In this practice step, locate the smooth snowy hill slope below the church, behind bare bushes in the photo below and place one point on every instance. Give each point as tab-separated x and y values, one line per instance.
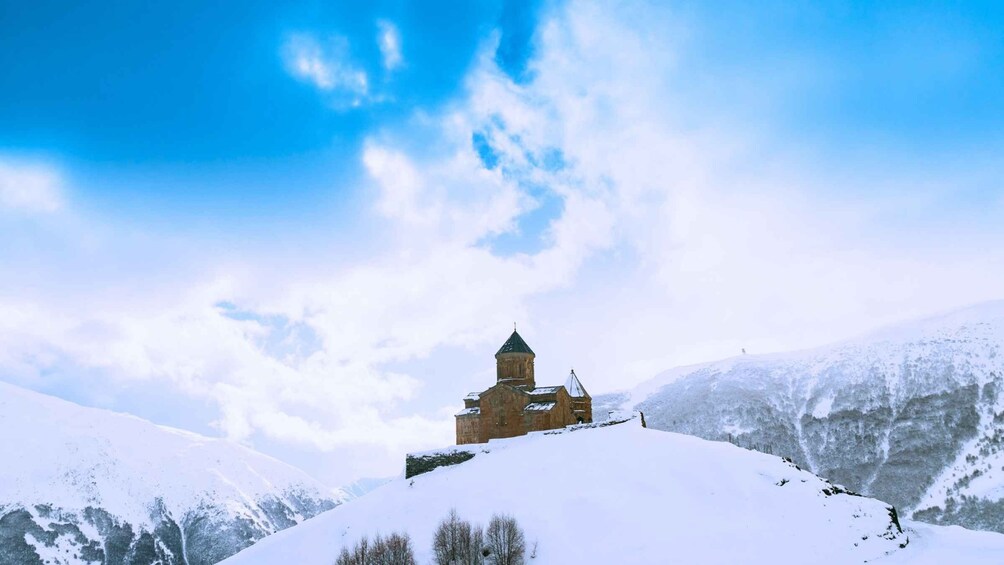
620	494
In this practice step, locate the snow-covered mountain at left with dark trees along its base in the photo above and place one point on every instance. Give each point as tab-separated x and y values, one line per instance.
82	485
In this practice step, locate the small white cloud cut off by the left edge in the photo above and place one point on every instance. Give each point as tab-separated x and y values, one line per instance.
30	188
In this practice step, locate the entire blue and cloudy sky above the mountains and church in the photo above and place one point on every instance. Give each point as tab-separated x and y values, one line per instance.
308	227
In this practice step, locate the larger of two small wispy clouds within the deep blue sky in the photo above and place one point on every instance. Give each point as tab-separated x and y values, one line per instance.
328	67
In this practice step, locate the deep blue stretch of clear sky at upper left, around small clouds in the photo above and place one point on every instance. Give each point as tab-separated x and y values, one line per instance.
189	109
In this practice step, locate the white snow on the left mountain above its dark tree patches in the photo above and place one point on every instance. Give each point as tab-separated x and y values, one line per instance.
74	457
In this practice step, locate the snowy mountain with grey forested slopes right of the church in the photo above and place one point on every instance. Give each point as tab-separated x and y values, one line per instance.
913	415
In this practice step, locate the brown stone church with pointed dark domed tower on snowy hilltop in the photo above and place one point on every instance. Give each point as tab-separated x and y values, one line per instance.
516	405
